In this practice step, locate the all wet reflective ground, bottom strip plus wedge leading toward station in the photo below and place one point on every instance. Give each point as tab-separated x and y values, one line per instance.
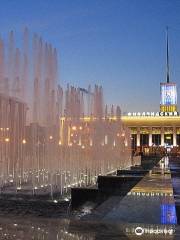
146	212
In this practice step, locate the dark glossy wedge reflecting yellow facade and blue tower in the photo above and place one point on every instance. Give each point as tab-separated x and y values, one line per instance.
151	201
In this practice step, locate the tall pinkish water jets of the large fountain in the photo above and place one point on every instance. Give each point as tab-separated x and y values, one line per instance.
52	139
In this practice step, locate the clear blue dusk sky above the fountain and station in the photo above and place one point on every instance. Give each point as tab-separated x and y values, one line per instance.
119	44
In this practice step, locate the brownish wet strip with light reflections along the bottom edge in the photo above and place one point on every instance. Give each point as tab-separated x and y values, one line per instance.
52	229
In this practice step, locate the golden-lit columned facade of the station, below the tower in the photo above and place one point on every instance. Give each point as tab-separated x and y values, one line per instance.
153	133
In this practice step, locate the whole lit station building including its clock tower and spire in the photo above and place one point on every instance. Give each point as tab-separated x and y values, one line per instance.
154	131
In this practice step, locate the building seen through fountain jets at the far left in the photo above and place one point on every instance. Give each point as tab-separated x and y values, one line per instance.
12	134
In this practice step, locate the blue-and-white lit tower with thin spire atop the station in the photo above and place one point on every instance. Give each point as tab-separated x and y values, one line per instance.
168	89
